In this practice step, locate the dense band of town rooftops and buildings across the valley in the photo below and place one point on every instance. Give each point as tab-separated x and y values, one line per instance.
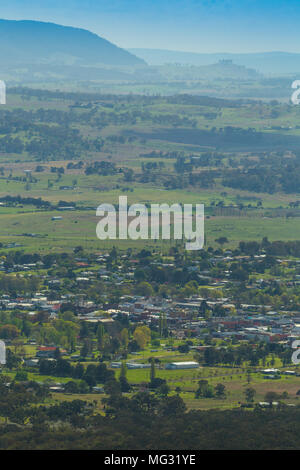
247	323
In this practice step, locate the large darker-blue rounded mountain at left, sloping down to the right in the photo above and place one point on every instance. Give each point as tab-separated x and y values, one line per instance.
34	42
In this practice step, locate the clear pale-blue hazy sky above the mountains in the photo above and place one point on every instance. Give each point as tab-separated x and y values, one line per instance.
186	25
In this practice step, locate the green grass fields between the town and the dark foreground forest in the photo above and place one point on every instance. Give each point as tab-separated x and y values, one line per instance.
185	381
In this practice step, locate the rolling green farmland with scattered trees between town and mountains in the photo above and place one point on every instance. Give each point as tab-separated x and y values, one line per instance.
148	156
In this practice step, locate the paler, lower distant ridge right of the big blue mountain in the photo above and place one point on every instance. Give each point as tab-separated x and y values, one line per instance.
265	62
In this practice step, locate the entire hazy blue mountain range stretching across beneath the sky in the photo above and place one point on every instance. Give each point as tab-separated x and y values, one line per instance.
33	51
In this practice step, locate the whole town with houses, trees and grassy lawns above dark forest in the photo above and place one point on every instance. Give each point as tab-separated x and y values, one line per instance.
199	325
